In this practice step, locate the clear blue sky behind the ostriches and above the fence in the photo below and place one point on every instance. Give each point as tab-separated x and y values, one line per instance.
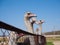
12	12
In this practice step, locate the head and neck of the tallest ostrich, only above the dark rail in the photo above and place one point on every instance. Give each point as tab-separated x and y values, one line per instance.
27	21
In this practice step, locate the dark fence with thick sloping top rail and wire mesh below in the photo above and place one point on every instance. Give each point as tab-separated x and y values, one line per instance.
11	35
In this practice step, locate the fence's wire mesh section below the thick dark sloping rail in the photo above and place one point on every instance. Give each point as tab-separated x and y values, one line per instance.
8	37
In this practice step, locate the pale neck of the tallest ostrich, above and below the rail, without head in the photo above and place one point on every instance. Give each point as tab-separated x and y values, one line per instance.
29	29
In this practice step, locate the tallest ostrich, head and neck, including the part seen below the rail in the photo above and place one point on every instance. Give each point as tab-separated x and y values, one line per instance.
29	25
